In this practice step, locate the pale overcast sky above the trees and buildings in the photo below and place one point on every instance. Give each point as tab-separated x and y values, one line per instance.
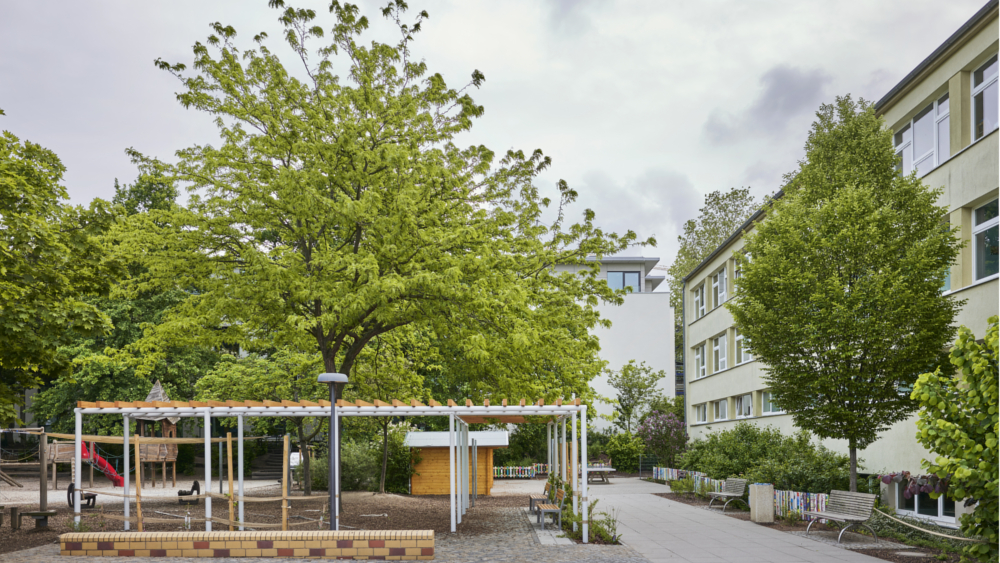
644	107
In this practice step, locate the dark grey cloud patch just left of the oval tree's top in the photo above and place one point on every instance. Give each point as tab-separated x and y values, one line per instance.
786	93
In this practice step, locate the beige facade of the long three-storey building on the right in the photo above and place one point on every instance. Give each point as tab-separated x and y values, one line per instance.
952	94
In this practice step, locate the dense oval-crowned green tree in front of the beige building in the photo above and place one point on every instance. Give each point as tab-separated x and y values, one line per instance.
840	294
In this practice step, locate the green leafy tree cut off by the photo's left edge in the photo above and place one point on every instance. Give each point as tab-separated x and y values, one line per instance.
51	259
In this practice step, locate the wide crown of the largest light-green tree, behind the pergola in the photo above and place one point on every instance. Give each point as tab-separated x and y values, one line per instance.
336	209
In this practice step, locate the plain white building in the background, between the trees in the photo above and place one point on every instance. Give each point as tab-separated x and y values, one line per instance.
642	327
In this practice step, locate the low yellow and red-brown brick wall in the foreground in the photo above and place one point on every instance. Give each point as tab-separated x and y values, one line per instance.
386	545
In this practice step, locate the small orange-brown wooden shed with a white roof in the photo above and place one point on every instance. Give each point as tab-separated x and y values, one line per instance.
431	476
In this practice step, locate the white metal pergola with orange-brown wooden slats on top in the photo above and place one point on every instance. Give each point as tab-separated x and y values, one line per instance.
459	418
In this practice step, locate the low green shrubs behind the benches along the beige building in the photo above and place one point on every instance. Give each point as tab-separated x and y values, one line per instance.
765	455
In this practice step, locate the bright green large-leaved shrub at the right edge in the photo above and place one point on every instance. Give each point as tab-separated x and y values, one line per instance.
958	421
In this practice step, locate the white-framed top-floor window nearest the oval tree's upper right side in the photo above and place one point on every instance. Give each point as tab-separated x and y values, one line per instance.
924	142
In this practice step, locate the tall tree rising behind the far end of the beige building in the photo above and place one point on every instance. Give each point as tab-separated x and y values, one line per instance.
722	214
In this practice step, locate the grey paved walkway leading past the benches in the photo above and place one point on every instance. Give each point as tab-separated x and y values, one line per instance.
666	531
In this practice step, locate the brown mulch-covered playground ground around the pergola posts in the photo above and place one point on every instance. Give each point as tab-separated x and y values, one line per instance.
362	510
